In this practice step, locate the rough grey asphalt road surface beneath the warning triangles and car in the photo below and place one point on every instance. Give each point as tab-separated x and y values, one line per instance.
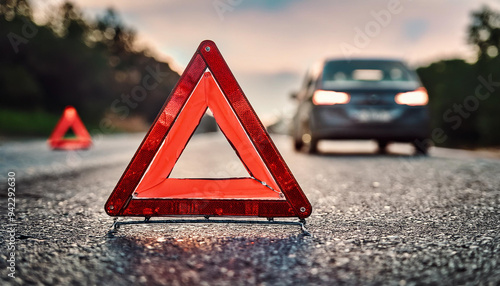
388	219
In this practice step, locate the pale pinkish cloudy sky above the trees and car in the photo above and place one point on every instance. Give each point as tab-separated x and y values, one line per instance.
269	44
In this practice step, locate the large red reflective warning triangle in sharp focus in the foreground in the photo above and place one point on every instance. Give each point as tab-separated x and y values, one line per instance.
146	189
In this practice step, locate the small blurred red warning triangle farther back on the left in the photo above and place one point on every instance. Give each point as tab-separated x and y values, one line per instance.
70	119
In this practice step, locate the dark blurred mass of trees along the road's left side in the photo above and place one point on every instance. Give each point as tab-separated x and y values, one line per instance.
71	60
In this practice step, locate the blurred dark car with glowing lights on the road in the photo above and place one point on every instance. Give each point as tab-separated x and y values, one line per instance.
373	99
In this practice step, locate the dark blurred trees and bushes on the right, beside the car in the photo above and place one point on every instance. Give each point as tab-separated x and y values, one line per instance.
465	98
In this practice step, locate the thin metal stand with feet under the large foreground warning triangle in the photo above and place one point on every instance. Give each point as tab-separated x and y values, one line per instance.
302	223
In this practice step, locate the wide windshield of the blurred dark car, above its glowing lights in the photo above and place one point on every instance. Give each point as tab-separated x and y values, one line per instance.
367	74
